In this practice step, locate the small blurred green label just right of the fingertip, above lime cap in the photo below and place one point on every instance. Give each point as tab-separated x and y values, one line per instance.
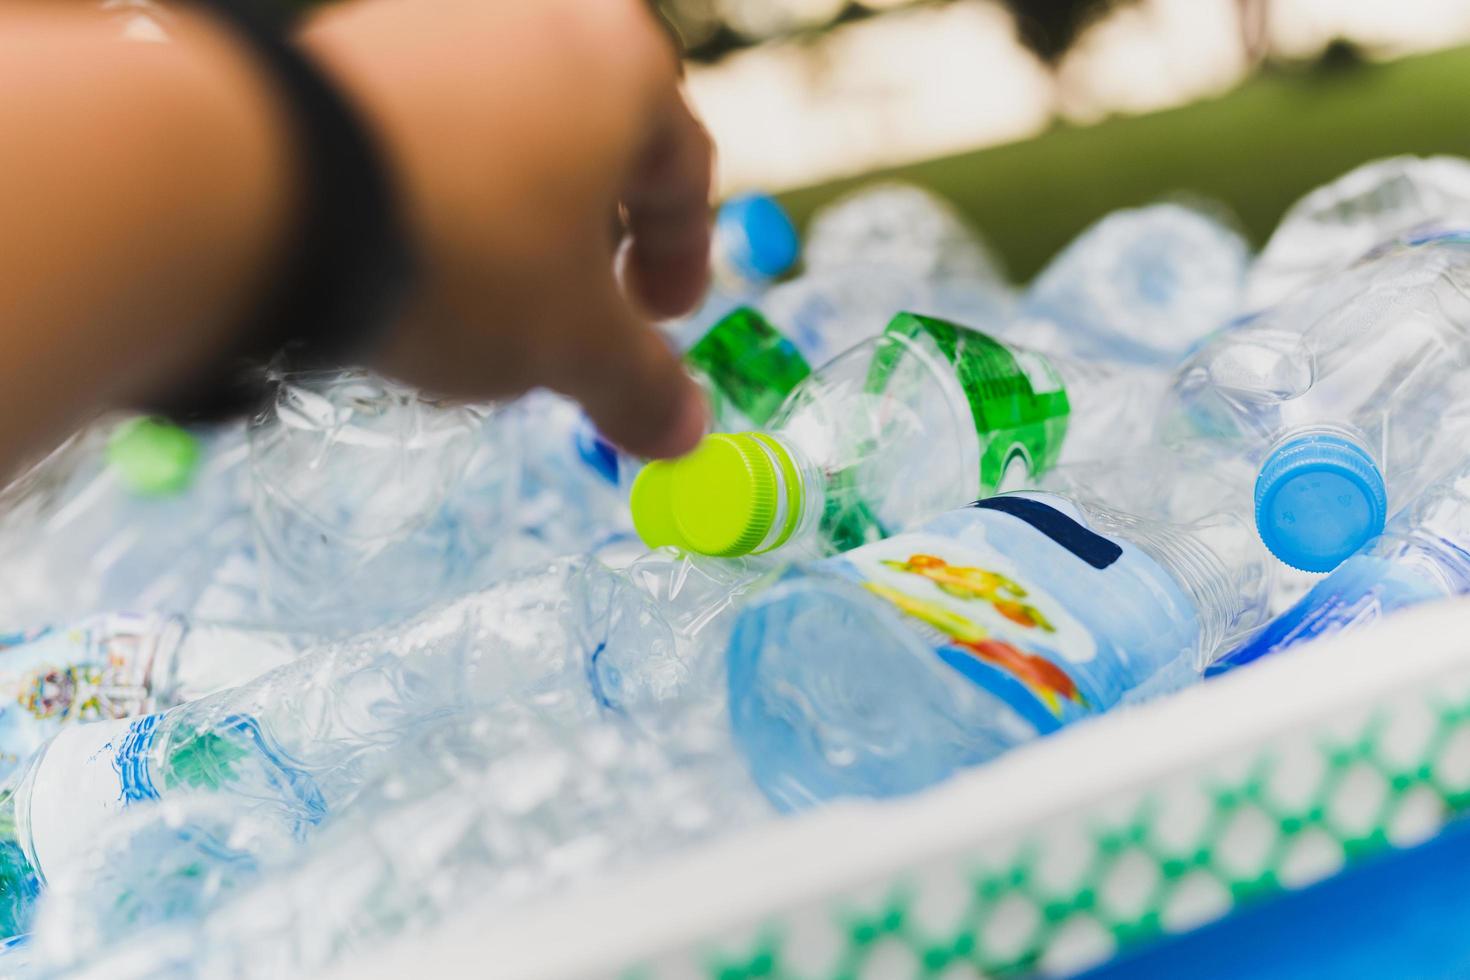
750	365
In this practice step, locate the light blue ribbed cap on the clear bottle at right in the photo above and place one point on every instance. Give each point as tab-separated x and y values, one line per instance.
1318	500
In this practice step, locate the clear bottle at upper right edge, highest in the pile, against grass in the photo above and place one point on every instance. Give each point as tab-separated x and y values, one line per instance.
1341	223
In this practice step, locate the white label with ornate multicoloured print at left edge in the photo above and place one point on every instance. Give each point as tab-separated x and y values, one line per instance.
99	671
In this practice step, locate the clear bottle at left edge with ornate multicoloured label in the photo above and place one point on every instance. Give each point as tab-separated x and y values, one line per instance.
120	666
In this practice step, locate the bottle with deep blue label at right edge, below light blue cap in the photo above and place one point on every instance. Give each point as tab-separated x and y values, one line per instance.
1424	555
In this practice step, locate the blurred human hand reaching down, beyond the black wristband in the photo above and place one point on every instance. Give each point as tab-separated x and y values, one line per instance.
556	186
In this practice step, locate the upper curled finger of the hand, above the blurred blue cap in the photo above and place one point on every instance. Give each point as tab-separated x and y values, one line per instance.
667	261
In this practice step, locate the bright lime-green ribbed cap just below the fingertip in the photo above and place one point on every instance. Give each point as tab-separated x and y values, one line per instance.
724	499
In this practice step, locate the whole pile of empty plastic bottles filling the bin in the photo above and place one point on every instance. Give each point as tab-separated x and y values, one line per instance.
279	694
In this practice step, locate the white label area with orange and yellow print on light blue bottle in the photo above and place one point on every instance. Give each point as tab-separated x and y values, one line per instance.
986	619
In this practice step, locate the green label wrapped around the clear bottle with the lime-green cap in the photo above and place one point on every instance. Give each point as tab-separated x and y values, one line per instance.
1018	400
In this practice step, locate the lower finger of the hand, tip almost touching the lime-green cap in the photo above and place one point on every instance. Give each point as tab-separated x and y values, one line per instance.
633	386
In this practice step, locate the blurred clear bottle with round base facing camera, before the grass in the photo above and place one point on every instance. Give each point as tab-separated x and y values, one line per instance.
1140	286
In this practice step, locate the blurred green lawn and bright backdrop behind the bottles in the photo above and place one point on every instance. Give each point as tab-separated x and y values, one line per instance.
1039	117
